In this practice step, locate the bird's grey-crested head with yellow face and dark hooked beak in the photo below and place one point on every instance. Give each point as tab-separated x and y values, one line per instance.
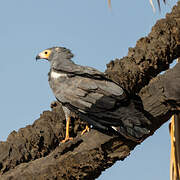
53	53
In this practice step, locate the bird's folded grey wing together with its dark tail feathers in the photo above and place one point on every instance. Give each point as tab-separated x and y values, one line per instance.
103	104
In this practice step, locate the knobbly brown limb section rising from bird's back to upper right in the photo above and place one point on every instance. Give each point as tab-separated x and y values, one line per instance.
150	56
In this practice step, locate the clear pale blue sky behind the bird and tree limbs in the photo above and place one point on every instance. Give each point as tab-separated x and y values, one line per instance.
96	35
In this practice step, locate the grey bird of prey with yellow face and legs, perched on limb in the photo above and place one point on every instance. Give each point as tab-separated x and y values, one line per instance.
95	99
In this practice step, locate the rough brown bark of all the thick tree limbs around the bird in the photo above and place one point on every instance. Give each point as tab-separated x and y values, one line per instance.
34	151
